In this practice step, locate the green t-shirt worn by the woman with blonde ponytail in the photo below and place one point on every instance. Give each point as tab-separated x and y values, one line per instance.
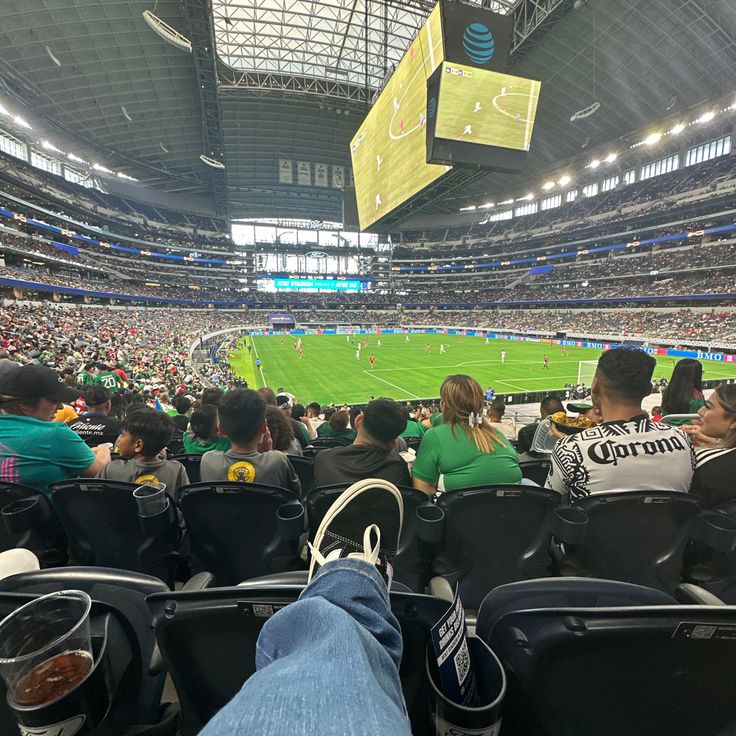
456	457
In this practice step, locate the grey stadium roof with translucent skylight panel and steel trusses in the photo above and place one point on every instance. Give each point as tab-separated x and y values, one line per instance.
291	79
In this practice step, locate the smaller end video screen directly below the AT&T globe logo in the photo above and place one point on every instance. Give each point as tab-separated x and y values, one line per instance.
485	107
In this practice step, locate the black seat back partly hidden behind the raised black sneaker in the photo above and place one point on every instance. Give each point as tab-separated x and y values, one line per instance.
410	565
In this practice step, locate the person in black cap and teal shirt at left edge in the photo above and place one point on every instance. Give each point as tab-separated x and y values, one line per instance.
34	450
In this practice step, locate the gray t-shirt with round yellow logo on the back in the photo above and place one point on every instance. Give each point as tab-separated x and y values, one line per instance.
270	468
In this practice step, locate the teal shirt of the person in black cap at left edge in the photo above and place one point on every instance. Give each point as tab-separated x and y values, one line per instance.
38	453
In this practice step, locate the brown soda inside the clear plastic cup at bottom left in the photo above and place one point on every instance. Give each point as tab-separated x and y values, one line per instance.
53	678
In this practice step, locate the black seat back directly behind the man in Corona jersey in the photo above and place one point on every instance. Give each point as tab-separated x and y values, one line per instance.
634	536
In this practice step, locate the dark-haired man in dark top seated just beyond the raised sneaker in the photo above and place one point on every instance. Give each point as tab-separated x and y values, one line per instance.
372	453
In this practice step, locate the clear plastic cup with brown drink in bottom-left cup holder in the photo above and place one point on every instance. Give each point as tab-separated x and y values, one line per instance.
45	647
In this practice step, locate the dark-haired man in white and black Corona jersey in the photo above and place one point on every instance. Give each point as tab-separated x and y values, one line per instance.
627	451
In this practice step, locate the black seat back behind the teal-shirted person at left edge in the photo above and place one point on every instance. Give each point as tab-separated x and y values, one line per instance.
38	530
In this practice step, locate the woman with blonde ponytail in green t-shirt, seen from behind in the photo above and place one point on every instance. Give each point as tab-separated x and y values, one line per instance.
464	448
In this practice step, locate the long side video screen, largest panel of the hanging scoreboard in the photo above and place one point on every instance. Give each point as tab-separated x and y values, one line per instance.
389	150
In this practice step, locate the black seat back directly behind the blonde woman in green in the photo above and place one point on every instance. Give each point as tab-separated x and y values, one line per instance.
494	535
